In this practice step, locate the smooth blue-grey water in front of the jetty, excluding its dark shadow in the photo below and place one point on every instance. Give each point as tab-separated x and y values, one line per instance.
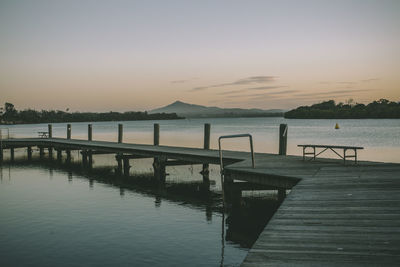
55	218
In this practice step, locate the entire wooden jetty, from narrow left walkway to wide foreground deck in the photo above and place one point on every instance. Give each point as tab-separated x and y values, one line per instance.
335	214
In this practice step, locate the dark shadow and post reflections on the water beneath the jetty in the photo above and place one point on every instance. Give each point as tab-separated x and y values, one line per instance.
241	224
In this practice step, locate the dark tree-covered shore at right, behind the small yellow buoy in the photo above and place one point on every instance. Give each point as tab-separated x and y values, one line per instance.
379	109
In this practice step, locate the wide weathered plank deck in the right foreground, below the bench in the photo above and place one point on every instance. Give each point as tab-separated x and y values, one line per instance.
340	216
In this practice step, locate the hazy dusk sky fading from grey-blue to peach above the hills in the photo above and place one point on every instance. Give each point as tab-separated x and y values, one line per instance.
139	55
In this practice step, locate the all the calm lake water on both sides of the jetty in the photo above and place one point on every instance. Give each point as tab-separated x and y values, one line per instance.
56	216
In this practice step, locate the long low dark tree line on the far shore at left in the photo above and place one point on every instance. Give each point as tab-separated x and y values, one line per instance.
9	115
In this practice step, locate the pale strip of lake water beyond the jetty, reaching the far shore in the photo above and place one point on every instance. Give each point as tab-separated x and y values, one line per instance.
380	138
